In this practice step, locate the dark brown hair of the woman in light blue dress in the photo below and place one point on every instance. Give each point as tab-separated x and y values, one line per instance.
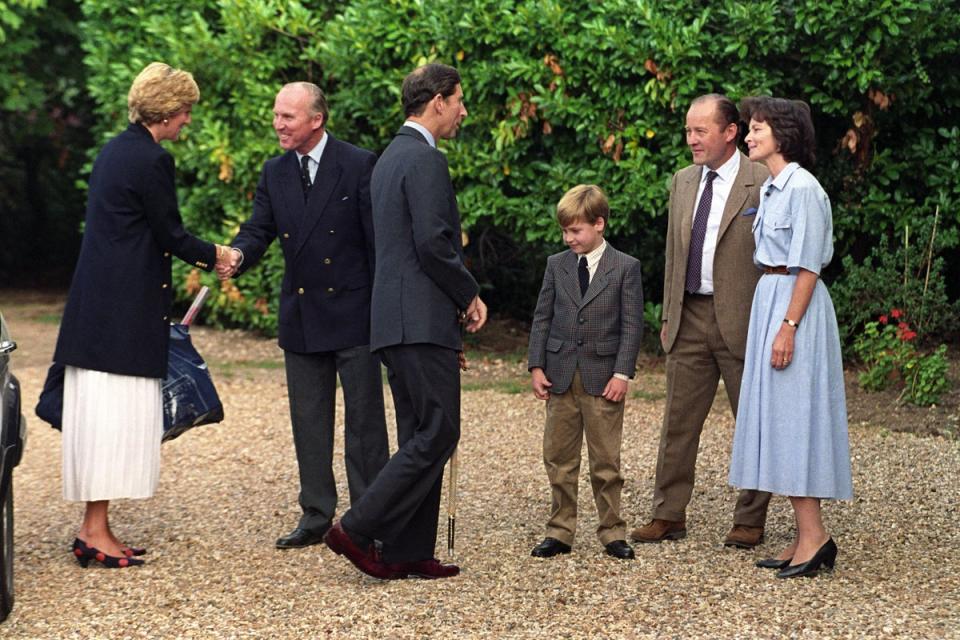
790	122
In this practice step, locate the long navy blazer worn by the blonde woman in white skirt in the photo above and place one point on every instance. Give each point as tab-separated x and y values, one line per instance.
118	310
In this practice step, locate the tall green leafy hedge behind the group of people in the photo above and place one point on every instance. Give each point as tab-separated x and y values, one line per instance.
558	93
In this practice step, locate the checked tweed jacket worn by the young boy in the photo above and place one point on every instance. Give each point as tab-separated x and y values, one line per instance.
598	333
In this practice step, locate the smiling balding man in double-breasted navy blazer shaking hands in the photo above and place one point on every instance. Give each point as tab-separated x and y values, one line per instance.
315	199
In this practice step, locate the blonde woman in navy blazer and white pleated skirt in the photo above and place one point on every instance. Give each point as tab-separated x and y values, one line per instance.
115	329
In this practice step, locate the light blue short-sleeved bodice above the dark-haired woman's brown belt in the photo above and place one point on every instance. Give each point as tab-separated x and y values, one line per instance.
794	223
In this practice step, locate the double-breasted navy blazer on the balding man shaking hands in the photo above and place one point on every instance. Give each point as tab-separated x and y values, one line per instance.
327	245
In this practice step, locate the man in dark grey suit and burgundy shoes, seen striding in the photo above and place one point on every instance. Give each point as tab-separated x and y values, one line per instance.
421	293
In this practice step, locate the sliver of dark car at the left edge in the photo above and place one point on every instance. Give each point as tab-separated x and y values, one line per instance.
12	434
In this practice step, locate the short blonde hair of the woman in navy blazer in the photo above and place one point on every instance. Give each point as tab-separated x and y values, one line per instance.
159	92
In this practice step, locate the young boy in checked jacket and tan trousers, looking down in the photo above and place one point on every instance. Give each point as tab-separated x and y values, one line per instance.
583	349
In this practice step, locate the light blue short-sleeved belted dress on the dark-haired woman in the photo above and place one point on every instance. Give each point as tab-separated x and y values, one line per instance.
791	433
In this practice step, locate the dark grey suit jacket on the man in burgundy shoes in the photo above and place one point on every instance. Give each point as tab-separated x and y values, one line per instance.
421	284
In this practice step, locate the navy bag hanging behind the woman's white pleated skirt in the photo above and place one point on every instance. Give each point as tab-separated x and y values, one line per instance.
189	397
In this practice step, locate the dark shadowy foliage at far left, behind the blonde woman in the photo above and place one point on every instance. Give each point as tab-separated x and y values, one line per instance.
44	122
